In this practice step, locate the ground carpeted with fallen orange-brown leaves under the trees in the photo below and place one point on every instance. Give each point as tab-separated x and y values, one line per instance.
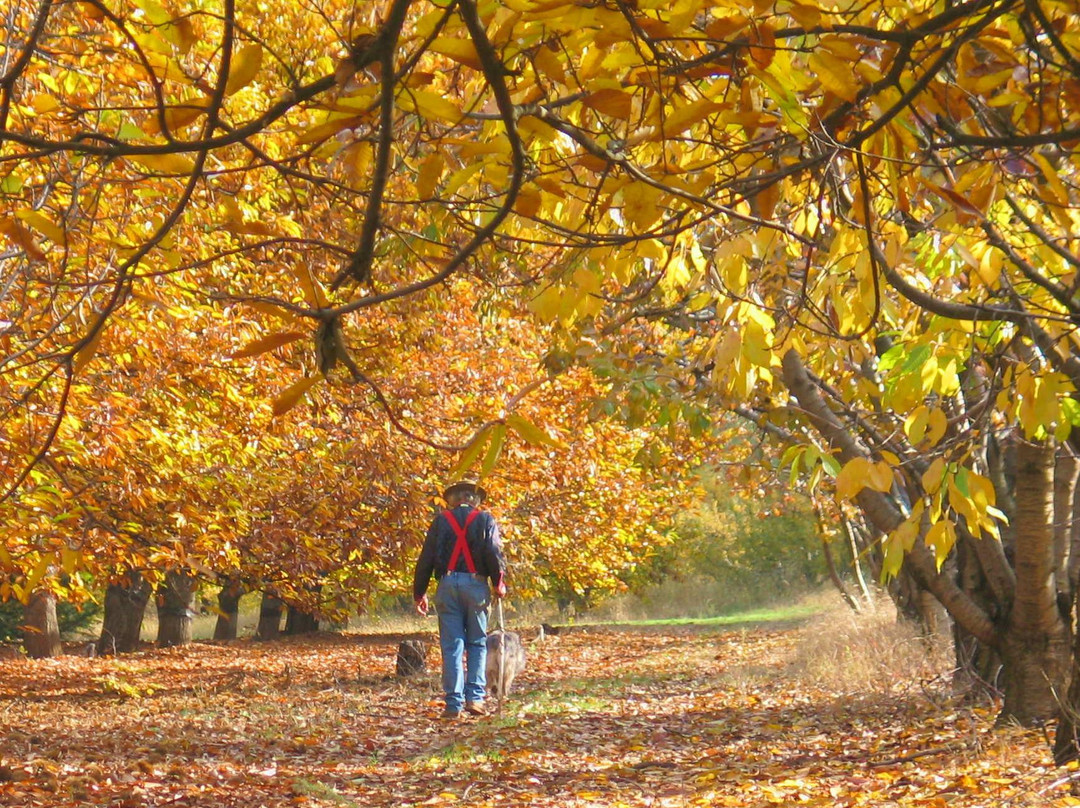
601	719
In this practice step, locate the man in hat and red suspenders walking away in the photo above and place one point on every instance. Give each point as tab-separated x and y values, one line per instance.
464	551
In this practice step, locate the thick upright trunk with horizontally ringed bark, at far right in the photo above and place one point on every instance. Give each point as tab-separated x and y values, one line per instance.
1035	645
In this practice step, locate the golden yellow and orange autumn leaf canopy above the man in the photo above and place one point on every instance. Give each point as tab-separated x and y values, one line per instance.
853	223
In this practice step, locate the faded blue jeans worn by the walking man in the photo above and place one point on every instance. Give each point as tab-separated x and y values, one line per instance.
462	602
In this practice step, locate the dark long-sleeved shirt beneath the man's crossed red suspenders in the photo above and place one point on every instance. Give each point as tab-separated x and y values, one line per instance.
484	544
